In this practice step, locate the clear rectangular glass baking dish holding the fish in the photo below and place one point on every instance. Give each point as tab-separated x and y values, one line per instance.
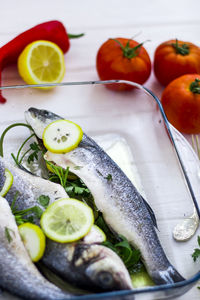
167	166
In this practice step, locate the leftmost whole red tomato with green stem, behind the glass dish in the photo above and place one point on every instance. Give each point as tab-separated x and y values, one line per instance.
125	59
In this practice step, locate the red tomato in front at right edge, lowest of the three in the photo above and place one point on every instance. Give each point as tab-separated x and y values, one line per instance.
181	103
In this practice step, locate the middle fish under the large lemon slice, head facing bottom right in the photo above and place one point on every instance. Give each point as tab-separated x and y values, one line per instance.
89	266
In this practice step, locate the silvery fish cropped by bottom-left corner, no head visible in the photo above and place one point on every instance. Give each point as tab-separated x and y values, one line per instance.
18	275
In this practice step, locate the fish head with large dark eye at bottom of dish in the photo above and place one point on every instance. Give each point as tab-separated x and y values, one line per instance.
102	267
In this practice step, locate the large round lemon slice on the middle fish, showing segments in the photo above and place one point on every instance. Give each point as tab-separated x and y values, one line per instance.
67	220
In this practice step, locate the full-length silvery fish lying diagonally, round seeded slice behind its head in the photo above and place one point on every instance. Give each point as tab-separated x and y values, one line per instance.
123	208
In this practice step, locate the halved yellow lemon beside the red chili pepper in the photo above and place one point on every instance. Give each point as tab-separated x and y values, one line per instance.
41	62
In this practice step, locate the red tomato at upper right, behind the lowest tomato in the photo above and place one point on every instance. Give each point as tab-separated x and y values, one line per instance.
175	58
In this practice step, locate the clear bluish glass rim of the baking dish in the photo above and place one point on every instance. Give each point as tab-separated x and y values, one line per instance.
192	280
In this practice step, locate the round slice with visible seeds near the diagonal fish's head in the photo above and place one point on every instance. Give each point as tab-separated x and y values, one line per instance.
62	136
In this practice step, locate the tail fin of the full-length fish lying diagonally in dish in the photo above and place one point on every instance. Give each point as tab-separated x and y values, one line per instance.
169	275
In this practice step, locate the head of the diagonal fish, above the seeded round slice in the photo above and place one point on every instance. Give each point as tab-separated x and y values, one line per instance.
39	119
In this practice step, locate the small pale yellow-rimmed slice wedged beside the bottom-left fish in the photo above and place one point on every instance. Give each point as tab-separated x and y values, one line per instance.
34	240
